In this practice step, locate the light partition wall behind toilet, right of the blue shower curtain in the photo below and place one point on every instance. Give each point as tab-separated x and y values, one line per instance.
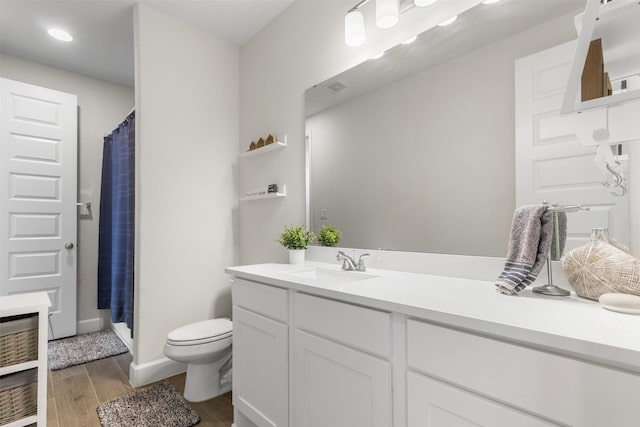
186	142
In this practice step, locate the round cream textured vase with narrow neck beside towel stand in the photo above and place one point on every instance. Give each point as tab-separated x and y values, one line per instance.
599	267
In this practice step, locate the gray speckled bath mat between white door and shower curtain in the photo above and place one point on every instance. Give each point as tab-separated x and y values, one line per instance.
84	348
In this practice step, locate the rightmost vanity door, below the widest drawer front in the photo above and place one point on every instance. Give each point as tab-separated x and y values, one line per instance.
431	403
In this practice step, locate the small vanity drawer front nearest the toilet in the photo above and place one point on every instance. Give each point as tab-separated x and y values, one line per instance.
263	299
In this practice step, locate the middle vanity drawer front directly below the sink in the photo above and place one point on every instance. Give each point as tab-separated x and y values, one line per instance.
358	327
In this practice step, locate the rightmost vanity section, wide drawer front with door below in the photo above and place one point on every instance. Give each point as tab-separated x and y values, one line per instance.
457	378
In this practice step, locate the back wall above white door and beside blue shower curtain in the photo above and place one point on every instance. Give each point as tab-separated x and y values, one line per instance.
102	106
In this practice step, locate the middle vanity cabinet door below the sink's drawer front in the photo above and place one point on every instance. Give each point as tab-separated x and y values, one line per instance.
337	386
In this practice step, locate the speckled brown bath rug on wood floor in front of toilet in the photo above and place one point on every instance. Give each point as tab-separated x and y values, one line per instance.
158	405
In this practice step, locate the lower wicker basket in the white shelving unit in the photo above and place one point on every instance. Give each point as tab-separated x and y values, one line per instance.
18	396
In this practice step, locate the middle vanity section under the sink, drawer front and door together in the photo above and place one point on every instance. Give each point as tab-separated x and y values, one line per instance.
340	375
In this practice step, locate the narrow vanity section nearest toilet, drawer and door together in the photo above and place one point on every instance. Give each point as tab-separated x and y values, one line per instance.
260	355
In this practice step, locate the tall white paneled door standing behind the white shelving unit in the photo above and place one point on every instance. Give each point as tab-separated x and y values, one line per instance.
38	168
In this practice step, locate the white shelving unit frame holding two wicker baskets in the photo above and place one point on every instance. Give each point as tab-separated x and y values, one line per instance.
29	304
